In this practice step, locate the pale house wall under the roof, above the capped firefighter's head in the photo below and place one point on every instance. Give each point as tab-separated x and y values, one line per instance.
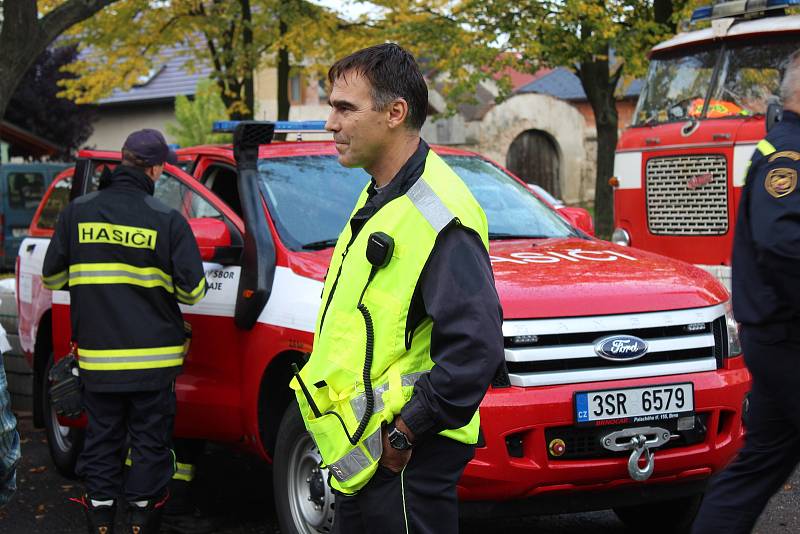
115	123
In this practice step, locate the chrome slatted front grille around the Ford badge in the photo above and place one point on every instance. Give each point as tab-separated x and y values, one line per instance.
543	352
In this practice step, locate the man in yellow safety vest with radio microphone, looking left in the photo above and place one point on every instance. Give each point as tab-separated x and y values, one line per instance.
409	334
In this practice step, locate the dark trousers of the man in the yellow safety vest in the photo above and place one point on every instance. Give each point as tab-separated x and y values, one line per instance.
422	499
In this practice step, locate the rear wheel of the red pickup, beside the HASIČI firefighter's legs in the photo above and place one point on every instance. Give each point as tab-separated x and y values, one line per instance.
65	442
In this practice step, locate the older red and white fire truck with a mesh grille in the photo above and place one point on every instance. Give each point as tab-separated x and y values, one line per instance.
708	96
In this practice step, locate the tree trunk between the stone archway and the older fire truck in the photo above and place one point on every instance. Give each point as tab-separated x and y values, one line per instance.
599	85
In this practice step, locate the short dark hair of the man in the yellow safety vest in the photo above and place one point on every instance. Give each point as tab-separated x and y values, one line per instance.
392	73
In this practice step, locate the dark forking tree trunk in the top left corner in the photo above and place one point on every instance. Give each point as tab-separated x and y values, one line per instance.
24	36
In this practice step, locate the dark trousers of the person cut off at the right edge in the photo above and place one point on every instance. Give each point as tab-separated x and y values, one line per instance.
738	495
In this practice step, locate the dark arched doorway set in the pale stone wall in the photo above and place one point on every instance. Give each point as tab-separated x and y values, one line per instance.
534	157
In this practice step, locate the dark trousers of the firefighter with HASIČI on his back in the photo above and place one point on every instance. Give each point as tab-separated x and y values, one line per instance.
147	417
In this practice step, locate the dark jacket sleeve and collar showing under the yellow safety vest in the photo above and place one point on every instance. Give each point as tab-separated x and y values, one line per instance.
457	291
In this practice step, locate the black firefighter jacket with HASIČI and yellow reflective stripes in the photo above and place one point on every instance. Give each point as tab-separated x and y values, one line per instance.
127	260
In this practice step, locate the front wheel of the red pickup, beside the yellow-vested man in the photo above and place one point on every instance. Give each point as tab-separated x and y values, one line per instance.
303	499
